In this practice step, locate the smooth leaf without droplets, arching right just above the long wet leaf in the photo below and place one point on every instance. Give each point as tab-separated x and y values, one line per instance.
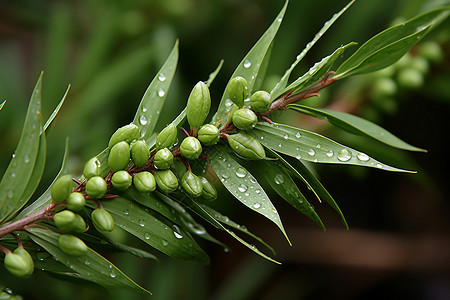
356	125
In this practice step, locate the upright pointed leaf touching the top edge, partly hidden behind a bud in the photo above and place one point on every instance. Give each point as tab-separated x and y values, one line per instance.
249	67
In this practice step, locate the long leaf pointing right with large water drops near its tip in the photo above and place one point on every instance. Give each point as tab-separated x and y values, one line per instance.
310	146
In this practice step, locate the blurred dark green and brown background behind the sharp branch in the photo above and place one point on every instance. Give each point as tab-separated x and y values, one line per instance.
398	244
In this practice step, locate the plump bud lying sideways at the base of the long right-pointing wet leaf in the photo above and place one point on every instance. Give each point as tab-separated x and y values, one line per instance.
246	146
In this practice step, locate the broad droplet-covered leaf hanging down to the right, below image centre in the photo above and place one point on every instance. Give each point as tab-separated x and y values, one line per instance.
242	185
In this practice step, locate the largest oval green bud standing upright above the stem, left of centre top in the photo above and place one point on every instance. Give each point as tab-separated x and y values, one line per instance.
198	105
